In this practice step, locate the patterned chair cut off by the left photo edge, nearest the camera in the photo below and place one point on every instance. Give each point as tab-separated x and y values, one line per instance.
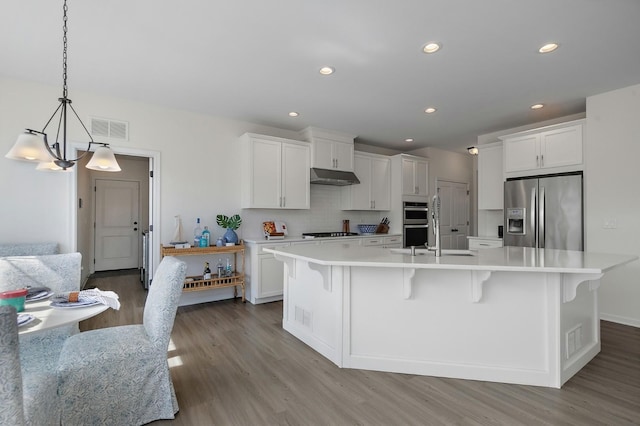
11	409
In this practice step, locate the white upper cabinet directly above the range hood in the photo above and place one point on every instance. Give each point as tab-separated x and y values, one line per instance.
329	149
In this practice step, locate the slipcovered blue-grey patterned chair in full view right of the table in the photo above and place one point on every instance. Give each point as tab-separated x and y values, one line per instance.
120	375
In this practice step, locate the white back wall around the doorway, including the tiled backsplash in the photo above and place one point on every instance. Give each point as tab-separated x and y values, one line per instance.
198	172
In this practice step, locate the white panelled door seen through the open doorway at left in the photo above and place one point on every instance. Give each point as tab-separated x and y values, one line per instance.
117	230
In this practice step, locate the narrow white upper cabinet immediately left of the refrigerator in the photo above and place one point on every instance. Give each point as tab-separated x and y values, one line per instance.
490	177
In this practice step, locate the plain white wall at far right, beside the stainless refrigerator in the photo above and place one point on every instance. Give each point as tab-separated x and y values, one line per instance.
612	180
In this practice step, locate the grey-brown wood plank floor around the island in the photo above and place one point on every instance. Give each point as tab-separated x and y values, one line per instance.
233	364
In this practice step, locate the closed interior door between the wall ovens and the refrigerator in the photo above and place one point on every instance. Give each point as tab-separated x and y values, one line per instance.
454	214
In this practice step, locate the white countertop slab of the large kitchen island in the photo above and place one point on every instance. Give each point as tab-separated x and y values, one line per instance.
520	259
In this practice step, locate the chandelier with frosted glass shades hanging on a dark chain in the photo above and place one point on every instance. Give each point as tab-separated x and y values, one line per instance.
33	145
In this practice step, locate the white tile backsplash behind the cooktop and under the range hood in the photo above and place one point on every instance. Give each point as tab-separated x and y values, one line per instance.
324	215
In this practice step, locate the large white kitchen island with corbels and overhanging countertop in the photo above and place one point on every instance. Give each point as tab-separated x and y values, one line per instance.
511	315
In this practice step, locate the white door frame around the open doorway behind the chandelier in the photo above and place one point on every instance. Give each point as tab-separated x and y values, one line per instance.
154	200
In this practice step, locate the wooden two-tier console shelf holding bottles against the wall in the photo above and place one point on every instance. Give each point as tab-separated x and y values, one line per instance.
197	283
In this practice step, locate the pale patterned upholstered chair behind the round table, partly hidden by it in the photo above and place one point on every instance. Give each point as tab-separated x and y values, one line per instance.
39	352
